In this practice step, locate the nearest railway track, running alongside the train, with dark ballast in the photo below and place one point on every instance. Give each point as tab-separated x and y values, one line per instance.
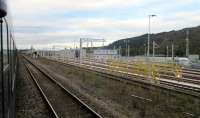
62	102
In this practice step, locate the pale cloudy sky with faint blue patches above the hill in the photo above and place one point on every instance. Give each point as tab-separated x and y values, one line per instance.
43	23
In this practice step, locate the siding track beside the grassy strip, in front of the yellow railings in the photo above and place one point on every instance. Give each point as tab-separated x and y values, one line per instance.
170	83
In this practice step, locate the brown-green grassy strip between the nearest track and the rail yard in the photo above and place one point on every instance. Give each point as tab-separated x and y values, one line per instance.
120	93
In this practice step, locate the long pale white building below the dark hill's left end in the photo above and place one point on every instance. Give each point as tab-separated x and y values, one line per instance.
104	54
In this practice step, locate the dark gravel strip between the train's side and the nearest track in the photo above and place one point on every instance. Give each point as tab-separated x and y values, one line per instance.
29	102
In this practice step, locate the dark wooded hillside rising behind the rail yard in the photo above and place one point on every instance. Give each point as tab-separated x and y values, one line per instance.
164	39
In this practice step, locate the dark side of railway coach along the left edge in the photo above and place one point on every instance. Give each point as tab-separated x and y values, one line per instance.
7	64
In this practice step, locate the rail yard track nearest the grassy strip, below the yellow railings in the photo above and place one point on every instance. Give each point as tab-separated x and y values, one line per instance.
173	85
